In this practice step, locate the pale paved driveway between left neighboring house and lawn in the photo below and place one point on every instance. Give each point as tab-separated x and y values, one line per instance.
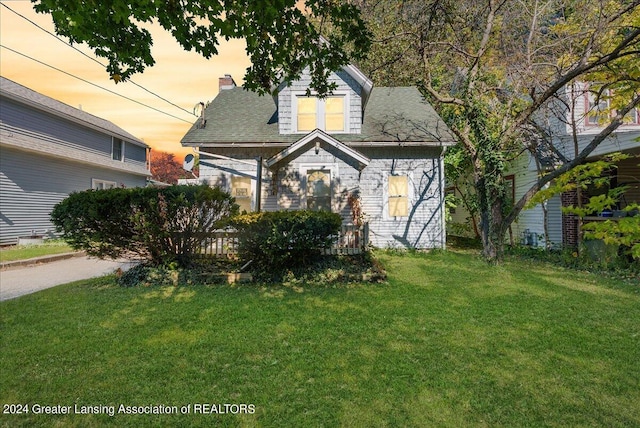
21	280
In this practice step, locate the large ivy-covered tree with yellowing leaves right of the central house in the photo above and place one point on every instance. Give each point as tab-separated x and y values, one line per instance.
493	68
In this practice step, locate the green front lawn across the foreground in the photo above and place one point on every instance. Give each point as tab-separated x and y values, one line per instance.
448	341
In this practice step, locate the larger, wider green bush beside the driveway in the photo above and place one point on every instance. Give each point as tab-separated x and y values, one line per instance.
162	225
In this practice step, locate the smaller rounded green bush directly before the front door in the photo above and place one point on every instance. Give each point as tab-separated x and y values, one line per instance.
282	238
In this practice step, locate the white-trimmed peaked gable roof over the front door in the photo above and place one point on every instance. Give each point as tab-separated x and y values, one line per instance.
319	139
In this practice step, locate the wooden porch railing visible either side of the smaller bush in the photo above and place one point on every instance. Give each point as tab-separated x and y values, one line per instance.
351	240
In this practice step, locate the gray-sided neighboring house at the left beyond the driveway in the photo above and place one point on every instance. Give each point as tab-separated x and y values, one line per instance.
48	150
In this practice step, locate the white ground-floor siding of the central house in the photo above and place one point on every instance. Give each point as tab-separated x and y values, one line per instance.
423	228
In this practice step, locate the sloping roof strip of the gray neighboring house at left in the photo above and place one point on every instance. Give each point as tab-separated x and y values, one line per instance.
22	94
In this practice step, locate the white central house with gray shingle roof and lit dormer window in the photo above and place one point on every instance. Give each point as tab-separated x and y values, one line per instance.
383	146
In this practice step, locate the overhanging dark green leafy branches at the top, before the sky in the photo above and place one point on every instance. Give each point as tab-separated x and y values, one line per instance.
282	38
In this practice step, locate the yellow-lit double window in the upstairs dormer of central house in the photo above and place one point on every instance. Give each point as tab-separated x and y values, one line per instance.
327	114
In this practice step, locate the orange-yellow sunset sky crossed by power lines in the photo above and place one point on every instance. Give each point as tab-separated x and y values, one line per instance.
183	78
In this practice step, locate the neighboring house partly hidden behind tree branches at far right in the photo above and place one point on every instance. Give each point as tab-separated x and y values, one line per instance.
579	110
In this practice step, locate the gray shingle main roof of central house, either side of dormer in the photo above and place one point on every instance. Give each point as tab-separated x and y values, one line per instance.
393	116
